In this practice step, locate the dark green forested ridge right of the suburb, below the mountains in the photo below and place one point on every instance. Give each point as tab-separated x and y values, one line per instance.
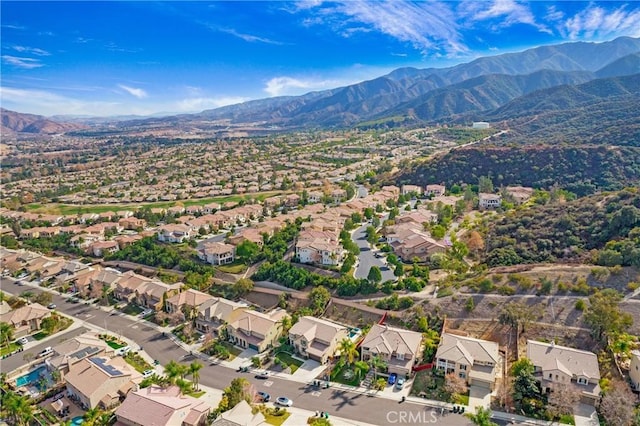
582	170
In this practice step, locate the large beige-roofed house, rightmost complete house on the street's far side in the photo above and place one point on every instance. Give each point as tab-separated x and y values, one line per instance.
576	368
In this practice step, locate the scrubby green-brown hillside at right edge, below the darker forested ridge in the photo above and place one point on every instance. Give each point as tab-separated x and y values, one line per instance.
602	228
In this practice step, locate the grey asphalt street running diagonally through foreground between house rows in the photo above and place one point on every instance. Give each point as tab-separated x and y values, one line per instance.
339	402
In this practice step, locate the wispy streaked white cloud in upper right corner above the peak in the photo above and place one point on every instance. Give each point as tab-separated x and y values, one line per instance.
595	21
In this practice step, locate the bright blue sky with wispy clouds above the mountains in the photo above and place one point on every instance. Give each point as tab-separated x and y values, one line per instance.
117	58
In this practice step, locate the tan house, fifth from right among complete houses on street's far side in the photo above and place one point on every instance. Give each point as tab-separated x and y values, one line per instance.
256	330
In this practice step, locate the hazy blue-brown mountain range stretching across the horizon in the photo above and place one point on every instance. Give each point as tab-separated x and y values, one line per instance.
508	86
